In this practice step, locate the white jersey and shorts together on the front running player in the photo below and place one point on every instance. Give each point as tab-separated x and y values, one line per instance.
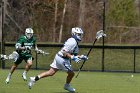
70	46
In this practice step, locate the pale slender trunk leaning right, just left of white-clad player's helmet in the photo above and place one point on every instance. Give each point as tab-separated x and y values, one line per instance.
63	16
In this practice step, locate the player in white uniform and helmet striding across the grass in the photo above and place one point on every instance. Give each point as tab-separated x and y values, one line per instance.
62	60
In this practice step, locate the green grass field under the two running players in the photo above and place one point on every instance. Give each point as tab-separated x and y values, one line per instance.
87	82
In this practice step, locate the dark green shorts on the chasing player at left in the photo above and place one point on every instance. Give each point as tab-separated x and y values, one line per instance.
23	57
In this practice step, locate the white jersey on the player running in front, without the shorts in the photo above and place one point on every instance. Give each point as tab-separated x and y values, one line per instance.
70	46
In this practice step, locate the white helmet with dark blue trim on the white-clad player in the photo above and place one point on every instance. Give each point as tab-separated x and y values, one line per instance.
77	33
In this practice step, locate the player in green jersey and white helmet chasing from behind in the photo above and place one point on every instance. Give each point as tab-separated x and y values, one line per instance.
23	52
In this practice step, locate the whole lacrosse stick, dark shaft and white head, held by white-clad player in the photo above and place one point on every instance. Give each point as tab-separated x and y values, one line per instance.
99	35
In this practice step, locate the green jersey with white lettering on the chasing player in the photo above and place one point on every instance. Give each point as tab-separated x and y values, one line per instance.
24	42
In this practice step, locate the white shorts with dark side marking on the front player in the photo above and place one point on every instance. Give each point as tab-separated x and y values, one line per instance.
61	63
